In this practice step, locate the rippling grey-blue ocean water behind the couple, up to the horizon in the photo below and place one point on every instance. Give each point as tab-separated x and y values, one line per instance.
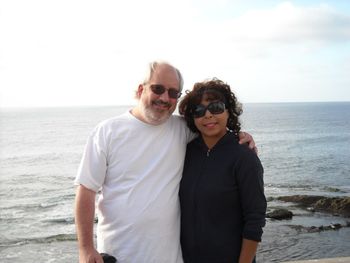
304	148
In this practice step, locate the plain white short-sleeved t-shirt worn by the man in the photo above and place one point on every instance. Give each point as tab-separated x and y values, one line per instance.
138	168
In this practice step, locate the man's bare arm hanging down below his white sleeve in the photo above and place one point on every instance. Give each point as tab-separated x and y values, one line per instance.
84	222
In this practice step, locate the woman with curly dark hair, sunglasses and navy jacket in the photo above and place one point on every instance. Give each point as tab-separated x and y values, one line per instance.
221	192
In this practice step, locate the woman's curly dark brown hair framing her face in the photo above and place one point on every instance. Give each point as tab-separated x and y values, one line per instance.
215	90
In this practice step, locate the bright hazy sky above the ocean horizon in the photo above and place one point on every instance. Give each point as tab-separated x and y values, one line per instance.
85	53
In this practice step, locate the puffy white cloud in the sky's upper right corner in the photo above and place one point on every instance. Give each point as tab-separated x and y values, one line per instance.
290	24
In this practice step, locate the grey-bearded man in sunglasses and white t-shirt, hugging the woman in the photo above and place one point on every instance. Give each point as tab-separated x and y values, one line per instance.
136	161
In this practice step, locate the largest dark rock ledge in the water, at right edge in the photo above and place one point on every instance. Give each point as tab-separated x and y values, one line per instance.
335	205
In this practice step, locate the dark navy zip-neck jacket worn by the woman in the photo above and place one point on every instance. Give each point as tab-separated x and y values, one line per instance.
222	200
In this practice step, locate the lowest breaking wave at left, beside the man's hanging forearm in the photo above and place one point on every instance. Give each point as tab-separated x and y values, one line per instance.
38	240
